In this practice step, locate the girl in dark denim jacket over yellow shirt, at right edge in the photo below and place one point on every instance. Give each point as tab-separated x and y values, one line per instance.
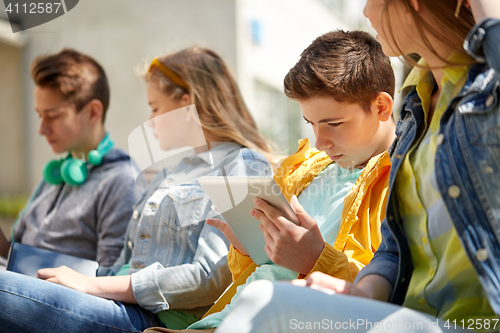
440	254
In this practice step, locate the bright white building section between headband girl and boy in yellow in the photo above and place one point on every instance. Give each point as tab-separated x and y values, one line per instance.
272	34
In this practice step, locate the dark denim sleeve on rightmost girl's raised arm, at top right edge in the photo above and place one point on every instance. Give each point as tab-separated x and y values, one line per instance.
483	42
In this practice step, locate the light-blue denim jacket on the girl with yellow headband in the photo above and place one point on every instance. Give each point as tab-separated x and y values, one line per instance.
177	261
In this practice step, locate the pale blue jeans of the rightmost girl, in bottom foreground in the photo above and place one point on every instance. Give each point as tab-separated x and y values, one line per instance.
282	307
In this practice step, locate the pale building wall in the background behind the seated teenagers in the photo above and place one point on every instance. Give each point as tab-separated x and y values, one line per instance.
260	39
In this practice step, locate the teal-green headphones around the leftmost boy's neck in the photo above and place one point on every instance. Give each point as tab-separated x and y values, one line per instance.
73	171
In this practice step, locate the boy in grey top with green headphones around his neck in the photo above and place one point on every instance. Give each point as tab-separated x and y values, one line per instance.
83	205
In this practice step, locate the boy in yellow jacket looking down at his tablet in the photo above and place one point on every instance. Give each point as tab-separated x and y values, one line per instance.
345	86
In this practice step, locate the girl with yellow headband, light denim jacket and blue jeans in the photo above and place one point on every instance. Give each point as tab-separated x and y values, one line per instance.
173	265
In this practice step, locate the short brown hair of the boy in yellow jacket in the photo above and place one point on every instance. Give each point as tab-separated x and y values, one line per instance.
346	65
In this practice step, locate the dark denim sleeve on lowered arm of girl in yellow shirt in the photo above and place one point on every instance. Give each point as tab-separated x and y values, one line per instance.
385	261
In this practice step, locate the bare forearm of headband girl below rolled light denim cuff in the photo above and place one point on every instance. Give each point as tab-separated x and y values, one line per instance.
117	288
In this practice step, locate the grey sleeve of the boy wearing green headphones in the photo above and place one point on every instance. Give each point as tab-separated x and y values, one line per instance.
118	194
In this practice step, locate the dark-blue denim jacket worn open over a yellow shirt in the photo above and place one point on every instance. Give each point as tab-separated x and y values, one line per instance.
467	166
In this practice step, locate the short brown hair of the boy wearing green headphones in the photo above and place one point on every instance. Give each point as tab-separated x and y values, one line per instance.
77	77
